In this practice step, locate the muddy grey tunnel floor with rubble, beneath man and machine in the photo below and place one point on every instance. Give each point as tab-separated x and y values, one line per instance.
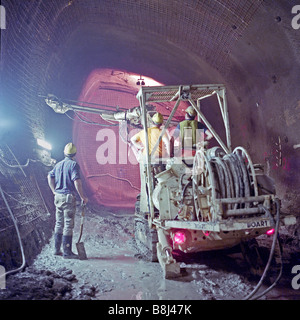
115	270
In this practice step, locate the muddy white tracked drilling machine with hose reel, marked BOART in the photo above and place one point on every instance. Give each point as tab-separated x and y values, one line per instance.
209	199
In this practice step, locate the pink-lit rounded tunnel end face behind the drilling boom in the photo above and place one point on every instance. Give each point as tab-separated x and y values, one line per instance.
110	171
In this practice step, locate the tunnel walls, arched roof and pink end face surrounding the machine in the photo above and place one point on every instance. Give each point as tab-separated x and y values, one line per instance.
94	52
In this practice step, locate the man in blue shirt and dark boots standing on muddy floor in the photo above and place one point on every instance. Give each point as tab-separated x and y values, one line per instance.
63	180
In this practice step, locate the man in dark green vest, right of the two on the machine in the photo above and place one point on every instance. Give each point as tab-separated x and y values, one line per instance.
188	128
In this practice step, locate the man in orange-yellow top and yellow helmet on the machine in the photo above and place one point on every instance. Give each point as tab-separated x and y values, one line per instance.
138	140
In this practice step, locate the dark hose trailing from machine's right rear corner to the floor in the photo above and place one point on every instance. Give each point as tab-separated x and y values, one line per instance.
275	239
